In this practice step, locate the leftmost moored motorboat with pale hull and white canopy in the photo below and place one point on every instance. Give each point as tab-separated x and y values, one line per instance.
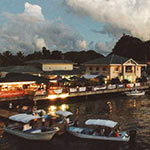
29	127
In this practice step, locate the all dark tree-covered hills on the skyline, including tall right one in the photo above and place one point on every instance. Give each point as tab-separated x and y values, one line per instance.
127	46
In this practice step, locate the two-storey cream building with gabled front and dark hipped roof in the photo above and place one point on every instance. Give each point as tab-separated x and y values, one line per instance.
114	66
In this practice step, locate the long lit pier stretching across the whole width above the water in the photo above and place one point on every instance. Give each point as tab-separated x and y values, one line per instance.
72	92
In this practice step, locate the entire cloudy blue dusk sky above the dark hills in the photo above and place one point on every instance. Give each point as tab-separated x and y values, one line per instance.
71	25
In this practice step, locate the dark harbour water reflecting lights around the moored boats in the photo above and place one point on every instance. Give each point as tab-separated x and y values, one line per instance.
132	113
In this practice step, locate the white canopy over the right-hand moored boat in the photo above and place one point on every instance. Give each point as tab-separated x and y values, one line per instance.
101	122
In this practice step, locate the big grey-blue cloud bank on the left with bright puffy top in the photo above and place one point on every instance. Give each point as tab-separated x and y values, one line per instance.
30	31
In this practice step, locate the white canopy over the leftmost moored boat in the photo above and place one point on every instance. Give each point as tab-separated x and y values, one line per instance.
24	118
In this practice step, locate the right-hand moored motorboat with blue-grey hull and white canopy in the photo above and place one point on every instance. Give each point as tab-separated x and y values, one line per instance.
106	130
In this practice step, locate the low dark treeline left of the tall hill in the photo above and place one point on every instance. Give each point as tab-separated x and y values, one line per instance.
7	58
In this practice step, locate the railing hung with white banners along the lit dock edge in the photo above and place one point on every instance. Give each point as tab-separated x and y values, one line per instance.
92	90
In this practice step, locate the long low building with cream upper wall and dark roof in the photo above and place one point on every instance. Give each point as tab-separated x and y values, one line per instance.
54	68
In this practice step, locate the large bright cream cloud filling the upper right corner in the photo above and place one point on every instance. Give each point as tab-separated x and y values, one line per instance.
117	16
